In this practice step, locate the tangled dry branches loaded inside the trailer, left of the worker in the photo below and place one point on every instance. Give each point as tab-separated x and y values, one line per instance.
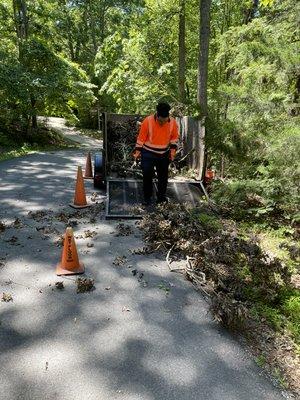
121	140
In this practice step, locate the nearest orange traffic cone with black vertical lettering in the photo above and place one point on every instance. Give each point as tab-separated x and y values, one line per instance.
69	264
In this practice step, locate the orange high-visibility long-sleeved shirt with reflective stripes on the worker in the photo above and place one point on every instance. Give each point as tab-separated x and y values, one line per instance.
155	137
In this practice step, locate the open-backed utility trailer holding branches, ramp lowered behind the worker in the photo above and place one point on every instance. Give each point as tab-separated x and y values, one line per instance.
114	167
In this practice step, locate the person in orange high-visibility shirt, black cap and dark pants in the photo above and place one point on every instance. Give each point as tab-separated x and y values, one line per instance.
156	146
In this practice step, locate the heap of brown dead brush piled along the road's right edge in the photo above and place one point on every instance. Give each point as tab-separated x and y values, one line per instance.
232	266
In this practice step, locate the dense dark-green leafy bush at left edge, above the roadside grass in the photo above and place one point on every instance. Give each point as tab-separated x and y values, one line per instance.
39	83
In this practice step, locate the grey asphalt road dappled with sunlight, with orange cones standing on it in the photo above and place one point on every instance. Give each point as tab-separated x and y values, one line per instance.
128	339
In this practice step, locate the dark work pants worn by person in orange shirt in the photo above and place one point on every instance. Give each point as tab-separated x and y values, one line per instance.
149	162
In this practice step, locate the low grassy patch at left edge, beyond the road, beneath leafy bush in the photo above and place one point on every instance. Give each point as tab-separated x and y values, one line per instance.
14	145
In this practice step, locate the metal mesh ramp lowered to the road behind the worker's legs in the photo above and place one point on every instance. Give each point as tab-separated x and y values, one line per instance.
125	196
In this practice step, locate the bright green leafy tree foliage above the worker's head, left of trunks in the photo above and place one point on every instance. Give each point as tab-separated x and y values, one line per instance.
139	68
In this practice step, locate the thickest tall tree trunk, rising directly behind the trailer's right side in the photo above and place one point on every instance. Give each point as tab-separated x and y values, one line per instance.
205	6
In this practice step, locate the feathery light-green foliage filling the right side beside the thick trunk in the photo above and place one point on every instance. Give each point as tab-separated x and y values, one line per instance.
255	103
